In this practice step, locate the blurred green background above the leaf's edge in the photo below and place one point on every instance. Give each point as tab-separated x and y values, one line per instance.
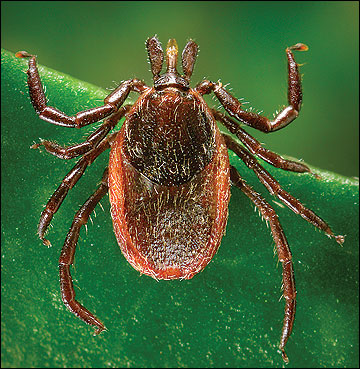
241	43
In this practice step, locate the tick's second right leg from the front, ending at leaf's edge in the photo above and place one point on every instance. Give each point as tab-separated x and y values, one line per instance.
255	147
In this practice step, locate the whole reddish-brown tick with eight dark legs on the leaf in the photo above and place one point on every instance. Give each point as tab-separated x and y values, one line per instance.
169	174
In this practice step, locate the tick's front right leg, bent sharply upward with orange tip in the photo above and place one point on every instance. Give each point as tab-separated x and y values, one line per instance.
282	119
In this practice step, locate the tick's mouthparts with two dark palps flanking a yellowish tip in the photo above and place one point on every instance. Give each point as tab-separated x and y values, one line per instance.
171	77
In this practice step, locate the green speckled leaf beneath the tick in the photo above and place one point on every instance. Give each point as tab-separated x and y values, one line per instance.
227	315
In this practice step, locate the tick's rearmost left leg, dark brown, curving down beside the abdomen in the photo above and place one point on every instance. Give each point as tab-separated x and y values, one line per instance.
68	252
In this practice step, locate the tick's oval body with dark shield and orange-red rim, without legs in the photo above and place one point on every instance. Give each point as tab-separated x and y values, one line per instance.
170	226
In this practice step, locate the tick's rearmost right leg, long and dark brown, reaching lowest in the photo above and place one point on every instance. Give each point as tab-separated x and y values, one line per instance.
283	252
